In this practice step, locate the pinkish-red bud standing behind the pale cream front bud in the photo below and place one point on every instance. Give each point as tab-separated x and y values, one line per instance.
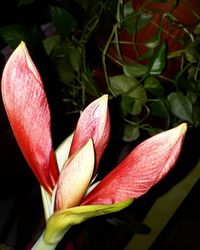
93	123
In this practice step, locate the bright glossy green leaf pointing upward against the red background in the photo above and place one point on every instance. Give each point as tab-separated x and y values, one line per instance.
158	61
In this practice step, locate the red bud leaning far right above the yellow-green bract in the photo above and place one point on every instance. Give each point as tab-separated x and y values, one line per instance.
146	165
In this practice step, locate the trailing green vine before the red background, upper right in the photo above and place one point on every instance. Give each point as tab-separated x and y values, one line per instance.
155	48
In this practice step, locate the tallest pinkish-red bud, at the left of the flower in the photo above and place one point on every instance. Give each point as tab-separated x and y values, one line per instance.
28	112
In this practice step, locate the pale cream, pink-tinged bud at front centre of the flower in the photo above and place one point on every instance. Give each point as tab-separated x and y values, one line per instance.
75	177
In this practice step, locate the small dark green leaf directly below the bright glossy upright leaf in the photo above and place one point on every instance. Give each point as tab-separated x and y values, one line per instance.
153	86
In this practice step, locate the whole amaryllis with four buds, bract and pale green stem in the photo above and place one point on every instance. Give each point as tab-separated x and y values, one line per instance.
66	177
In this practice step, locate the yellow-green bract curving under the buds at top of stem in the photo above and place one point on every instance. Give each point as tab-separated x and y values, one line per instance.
62	220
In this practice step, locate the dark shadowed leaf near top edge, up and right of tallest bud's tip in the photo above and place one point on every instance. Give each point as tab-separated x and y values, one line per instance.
64	22
